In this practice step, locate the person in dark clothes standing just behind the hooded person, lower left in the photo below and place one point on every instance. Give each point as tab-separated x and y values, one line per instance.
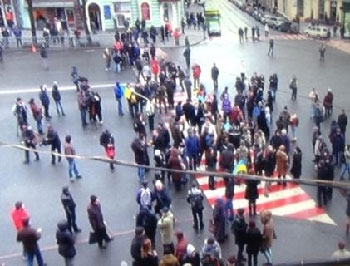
69	205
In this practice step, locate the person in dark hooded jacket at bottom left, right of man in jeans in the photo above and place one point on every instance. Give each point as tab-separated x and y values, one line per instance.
65	241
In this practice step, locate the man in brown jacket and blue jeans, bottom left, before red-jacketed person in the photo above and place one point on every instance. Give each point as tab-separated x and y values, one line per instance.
29	238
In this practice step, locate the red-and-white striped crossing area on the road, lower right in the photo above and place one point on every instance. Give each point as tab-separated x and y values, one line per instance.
290	201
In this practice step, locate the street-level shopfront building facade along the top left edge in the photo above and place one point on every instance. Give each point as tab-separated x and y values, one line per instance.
101	15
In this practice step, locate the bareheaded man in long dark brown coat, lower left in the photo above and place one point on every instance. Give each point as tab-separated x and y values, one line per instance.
97	223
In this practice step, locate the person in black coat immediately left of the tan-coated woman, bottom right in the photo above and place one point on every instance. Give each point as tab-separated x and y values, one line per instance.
253	241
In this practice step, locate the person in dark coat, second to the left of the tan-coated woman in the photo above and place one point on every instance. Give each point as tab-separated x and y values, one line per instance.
239	228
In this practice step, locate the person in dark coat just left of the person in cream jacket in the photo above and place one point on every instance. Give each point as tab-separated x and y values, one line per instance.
148	220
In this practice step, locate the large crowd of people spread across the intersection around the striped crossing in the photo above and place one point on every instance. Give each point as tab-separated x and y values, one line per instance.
220	130
